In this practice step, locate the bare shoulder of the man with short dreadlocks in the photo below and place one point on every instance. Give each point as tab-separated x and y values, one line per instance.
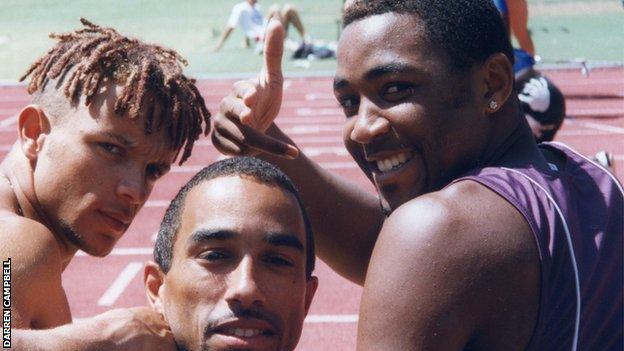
38	298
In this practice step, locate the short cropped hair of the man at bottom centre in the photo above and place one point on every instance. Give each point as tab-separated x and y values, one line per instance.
240	166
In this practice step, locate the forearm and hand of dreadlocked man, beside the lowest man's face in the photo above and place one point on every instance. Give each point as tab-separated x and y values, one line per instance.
138	328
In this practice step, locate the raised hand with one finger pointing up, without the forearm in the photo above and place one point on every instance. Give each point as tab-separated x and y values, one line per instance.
252	106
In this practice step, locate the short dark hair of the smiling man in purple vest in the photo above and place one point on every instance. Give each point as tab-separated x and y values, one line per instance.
469	31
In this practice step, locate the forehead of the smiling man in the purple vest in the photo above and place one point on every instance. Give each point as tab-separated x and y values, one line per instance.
389	38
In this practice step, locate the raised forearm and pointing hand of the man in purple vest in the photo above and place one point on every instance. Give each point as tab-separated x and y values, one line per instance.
345	219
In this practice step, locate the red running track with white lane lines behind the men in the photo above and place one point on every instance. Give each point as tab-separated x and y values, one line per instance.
311	117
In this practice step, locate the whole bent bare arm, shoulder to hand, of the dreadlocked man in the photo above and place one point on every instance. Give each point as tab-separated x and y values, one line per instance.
39	309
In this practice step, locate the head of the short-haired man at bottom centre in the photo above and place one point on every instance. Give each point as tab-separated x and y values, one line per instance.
235	256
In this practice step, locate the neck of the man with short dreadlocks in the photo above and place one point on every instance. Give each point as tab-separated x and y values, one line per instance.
18	194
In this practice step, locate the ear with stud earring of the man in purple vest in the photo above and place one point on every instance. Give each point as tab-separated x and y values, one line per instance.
499	80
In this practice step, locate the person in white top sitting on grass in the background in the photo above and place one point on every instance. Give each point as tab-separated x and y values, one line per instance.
247	14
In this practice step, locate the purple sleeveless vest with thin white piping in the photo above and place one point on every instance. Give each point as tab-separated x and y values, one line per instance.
577	217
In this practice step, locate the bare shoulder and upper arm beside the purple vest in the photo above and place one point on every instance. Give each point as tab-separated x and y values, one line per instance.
447	274
